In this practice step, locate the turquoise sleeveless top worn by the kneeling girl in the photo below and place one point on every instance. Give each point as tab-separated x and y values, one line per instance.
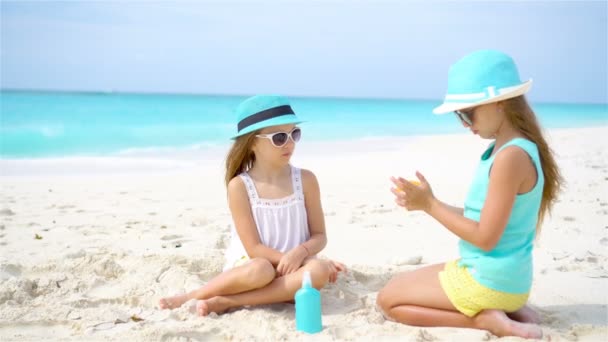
508	266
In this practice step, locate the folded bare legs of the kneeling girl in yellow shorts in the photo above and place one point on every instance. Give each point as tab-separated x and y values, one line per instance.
416	298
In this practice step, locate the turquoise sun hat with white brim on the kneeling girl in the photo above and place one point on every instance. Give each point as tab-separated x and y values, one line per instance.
484	76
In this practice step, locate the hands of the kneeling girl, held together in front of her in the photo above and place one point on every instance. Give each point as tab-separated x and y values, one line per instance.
412	196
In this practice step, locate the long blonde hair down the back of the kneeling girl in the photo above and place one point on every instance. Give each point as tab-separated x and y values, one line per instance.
522	117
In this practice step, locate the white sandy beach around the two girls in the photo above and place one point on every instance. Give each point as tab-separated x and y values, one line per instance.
117	234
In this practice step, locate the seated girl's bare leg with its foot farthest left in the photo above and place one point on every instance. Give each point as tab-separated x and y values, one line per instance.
256	273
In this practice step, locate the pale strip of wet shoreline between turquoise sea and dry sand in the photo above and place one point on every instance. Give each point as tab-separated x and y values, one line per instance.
151	160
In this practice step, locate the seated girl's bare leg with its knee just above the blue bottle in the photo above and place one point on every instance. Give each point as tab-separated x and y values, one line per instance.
281	289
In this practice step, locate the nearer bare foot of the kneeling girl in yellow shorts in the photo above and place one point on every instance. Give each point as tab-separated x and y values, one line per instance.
499	324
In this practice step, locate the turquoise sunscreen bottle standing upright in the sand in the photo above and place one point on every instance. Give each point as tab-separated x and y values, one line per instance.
308	307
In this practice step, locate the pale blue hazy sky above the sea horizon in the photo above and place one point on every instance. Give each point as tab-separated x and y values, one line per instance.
383	49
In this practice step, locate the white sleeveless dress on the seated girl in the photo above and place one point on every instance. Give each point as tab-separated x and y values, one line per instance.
282	223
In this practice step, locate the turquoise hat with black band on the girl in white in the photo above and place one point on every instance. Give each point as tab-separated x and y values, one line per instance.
263	111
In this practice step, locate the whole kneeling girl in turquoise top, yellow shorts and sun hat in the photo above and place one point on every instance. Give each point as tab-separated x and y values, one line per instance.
515	185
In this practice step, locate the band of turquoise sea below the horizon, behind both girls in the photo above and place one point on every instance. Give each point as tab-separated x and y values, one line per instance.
56	124
